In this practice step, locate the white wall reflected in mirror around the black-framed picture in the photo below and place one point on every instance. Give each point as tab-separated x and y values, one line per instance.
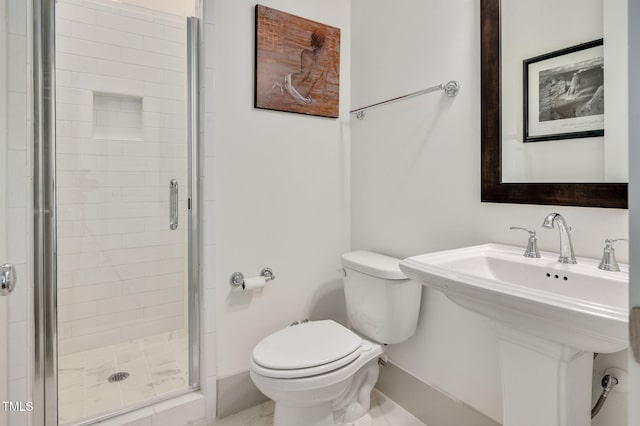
569	160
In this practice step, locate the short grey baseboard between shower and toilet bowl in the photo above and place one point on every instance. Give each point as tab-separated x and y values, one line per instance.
236	393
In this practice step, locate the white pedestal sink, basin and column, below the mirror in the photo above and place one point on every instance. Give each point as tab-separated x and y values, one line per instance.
550	318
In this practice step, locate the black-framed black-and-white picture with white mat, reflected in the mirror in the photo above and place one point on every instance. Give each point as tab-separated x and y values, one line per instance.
564	94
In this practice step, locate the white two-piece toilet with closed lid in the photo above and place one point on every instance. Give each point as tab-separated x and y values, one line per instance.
320	373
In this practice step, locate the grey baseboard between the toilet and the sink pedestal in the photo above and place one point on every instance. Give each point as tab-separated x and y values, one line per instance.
429	405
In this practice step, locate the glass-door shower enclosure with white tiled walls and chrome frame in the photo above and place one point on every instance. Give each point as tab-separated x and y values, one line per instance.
115	200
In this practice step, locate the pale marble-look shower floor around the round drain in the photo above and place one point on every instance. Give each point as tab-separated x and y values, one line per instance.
157	365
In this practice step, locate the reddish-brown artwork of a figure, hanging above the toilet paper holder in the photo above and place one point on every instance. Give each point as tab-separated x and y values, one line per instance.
297	64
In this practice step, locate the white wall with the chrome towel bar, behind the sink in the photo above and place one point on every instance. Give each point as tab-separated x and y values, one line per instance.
416	179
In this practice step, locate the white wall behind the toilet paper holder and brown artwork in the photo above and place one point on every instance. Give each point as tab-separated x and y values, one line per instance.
280	196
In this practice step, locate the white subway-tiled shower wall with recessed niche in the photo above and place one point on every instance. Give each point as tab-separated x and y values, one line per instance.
121	137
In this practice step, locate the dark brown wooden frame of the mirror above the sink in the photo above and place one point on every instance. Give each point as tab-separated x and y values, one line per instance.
610	195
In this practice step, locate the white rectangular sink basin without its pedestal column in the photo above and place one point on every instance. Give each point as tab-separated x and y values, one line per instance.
577	305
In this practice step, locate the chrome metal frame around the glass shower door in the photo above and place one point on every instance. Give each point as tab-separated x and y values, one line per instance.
45	364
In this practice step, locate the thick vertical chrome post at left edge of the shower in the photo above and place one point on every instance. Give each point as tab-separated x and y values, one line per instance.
44	215
